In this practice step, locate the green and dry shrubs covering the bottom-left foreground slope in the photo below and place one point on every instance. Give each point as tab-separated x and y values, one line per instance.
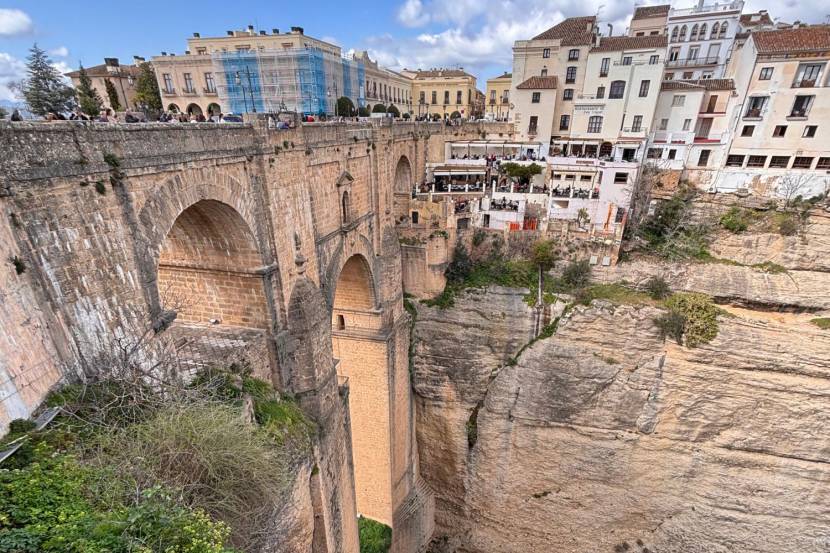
125	468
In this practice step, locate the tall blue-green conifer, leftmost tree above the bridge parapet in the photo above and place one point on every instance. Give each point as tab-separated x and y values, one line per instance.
43	88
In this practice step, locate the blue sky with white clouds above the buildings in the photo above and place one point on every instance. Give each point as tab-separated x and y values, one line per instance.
474	34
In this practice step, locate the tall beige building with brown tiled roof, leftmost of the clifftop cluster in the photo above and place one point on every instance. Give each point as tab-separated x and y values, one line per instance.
560	52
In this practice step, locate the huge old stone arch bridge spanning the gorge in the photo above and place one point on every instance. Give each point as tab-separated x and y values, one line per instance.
273	247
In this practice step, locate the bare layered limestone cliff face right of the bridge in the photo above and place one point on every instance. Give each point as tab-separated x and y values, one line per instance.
604	434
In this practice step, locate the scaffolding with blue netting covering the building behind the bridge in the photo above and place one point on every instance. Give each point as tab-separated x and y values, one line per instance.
303	80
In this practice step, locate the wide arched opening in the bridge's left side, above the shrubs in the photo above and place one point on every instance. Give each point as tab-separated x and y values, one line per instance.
210	272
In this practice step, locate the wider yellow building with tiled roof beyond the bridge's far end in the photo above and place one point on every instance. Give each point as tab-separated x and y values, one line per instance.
442	92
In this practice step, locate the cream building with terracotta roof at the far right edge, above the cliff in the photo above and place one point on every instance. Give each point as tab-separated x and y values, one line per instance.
781	127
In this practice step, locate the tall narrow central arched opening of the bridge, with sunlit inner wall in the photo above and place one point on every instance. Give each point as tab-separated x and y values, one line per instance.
361	350
